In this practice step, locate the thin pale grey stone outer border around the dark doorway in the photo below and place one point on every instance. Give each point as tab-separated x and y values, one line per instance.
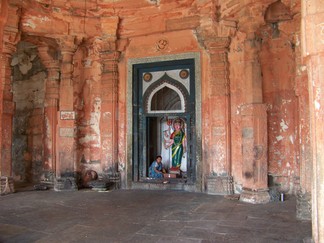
130	122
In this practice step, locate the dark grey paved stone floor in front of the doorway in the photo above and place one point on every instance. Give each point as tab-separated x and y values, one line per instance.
145	216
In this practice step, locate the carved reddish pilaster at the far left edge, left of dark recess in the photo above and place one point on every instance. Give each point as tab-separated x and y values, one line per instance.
10	37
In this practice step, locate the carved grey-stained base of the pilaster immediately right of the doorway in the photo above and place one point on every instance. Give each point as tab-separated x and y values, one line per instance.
219	185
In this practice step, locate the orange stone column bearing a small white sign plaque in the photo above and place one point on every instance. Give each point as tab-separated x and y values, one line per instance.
65	138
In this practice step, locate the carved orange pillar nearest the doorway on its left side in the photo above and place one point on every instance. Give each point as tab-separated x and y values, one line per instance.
109	121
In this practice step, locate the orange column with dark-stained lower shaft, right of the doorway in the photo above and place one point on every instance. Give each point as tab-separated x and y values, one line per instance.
254	128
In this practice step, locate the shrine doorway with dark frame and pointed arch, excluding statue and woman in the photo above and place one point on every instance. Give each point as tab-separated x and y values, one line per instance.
161	89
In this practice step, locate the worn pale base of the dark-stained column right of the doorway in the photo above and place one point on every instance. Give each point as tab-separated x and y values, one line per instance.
260	196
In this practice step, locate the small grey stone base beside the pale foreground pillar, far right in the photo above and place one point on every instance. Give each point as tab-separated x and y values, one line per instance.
304	206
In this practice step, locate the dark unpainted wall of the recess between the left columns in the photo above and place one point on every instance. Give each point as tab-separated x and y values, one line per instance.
28	123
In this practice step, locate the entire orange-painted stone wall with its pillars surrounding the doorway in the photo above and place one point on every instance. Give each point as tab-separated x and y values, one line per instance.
247	66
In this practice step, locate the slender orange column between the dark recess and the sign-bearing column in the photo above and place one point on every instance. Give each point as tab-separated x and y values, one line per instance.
51	109
